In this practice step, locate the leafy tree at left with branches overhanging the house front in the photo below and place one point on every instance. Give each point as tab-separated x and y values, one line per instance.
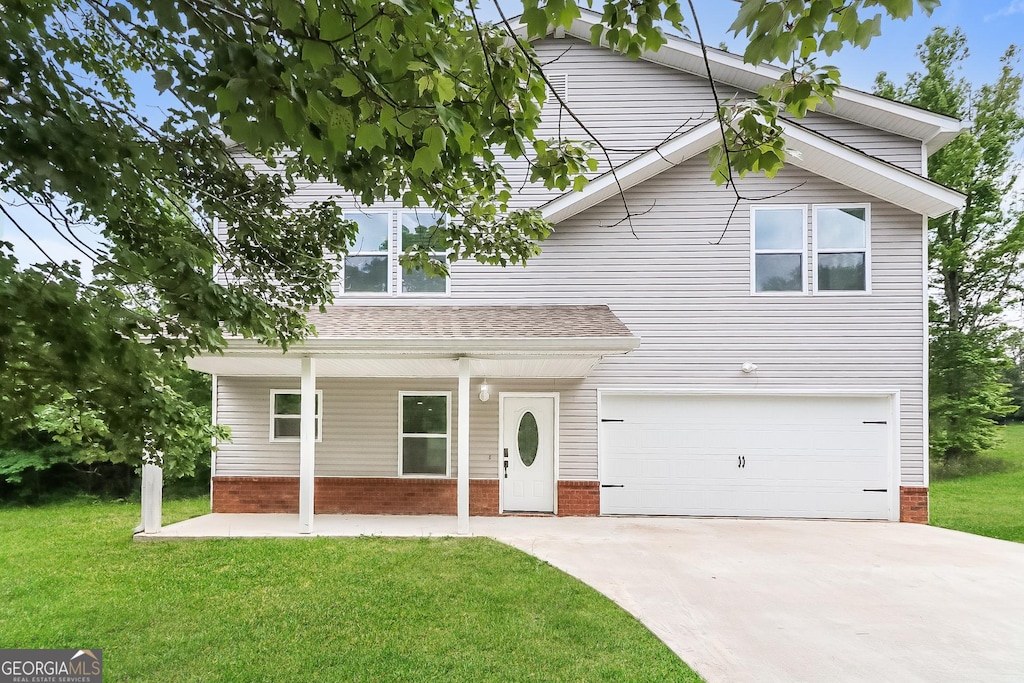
412	100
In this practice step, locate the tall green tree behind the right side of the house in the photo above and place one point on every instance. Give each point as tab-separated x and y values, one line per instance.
975	254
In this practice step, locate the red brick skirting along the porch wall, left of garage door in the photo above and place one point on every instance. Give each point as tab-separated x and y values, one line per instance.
375	496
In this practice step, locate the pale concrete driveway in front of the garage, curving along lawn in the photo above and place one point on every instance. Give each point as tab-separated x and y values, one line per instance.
774	601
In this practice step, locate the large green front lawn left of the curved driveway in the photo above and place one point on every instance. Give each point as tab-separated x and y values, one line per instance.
307	610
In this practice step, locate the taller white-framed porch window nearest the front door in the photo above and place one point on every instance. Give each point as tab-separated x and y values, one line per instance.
424	419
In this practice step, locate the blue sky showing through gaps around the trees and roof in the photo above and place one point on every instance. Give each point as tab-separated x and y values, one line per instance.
991	26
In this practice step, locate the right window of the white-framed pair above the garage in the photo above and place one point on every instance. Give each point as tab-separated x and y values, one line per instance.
842	254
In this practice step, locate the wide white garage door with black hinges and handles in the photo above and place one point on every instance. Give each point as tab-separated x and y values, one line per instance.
764	456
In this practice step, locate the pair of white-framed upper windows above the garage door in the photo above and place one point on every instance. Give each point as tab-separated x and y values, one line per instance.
841	260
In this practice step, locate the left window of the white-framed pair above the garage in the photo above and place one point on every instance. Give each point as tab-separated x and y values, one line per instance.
779	249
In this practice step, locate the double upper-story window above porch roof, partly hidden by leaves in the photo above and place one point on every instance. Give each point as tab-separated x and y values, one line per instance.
373	267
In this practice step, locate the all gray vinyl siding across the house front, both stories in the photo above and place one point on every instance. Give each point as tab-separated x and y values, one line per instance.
681	284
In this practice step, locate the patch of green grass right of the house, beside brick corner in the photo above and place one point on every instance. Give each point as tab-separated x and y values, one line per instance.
989	498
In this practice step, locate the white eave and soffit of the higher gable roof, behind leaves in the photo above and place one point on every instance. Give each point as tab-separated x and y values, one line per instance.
934	131
